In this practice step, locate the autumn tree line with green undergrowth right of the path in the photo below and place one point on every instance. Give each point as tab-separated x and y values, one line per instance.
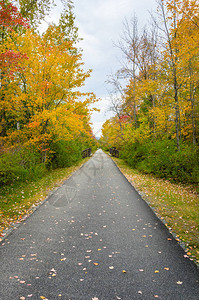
156	122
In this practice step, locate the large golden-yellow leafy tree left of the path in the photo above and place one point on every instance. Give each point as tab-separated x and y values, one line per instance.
40	86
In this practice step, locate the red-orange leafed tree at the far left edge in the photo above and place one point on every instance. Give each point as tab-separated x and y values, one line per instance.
11	61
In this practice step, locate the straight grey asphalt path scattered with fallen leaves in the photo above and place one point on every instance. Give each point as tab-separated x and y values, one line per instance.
95	238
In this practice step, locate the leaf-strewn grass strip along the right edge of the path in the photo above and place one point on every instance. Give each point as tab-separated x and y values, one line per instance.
177	205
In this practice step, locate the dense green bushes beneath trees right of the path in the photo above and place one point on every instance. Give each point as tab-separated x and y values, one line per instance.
162	159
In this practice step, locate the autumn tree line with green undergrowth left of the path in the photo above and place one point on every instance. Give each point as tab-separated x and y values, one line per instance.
44	116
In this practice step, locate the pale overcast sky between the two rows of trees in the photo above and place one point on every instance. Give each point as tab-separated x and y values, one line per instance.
100	24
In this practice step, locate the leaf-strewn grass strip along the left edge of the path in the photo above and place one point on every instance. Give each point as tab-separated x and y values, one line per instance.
18	200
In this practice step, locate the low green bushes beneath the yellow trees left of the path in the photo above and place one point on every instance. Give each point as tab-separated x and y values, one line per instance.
26	163
